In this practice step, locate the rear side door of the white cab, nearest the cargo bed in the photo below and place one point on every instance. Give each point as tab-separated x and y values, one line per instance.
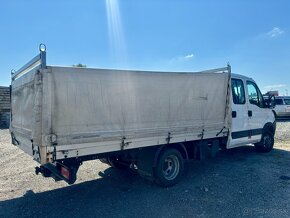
239	134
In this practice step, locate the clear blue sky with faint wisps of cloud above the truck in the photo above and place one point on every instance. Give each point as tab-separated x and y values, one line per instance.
163	35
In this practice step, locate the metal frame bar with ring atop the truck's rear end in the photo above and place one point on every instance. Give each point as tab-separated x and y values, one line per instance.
38	61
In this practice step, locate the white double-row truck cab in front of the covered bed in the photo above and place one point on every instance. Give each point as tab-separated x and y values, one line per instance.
253	120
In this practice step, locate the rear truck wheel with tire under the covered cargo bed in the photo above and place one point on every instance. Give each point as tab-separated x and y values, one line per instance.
169	168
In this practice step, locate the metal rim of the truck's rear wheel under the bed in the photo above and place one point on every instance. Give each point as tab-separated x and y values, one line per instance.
171	167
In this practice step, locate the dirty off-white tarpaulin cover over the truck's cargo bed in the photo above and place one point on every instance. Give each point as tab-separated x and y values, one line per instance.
79	105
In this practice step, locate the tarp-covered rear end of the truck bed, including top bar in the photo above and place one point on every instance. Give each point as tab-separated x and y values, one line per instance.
26	95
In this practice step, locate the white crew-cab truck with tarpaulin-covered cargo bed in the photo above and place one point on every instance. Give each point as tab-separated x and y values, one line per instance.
151	122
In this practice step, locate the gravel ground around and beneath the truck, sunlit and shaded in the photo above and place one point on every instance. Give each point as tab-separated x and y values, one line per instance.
238	182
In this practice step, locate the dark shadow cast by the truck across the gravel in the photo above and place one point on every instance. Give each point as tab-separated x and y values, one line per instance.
233	176
